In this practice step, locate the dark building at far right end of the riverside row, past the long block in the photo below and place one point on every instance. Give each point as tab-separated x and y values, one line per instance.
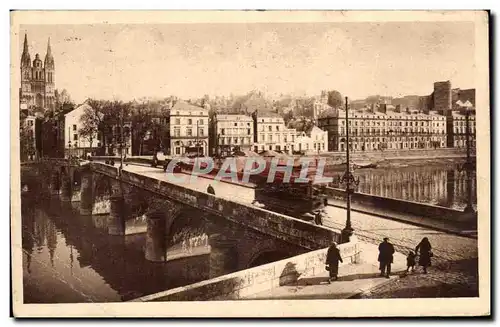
457	129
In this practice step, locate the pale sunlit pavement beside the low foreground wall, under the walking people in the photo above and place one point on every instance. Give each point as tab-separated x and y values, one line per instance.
354	280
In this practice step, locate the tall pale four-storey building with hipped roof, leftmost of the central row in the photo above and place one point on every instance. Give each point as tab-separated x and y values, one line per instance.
188	129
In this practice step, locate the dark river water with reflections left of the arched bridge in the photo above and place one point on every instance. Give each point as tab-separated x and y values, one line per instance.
71	258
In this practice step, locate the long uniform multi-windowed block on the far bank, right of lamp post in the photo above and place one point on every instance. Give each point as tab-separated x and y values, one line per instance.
384	130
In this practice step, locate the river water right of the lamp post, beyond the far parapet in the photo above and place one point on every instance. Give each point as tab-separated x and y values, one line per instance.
437	185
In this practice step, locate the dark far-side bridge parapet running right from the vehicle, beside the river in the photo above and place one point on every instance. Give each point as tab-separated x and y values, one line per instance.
410	207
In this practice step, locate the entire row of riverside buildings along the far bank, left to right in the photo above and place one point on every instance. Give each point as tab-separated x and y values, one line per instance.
192	130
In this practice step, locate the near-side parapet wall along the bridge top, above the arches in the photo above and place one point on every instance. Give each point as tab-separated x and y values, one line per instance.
282	227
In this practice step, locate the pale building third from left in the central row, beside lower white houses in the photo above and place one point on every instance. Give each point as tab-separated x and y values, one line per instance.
270	133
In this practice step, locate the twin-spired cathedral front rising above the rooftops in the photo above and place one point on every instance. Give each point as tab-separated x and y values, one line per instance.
37	79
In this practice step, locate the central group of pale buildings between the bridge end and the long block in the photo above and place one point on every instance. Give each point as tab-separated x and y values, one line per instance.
191	131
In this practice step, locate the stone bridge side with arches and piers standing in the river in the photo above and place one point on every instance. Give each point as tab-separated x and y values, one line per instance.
178	219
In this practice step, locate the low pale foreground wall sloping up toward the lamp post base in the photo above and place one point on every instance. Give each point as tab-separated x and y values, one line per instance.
242	284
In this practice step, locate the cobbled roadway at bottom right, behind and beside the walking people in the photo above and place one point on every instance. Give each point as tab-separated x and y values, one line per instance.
454	265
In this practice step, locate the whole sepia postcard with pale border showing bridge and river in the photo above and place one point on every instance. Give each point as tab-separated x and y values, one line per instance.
250	164
